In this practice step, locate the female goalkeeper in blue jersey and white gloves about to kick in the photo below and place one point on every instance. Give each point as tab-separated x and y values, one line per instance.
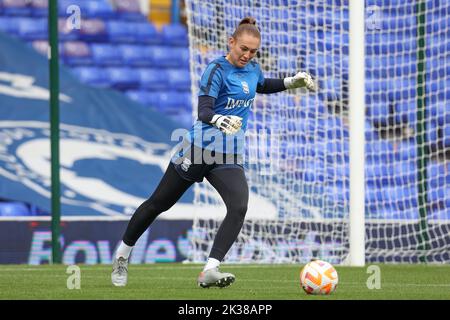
213	150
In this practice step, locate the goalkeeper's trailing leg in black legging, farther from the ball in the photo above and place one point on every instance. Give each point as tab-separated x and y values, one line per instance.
168	192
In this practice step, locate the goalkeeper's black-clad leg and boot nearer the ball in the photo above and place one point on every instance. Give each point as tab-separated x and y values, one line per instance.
232	186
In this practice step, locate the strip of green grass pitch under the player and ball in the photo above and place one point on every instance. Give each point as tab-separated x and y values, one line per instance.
174	281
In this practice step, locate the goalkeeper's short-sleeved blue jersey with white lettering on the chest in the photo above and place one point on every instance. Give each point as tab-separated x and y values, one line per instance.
234	89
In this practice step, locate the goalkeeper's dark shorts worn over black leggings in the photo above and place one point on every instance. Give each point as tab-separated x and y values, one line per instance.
194	163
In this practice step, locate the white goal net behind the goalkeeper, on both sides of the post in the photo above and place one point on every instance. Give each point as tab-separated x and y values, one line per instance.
297	143
